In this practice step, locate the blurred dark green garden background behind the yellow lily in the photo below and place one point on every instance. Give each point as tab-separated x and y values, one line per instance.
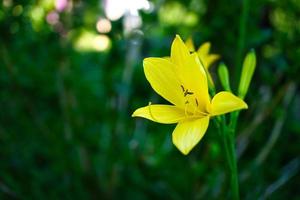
71	75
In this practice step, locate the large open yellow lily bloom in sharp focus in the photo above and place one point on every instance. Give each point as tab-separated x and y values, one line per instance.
182	81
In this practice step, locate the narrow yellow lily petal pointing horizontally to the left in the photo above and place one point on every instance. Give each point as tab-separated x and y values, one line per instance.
165	114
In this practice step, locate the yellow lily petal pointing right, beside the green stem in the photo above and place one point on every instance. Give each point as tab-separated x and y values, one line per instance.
225	102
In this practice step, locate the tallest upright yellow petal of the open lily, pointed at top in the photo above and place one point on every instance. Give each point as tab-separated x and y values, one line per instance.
190	72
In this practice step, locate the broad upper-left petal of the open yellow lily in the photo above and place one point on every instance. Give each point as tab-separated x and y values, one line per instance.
163	79
